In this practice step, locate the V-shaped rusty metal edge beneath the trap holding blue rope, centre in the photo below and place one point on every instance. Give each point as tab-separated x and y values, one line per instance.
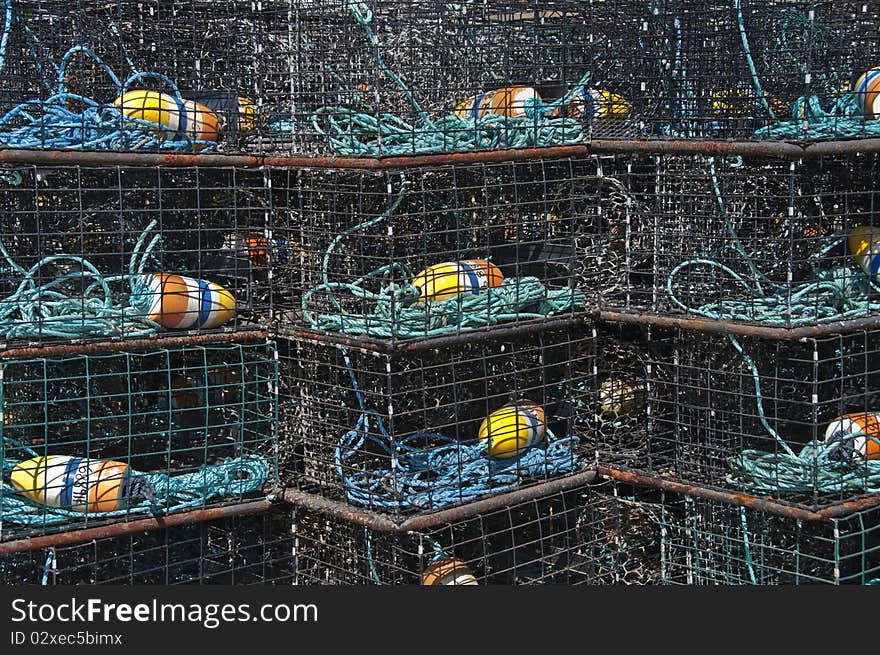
383	523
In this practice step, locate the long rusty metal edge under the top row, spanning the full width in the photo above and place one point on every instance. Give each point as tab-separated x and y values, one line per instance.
757	148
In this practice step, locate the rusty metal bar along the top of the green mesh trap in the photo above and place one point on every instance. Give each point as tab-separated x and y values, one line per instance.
157	341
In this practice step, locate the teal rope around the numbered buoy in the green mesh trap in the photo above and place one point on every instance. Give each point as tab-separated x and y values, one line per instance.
164	494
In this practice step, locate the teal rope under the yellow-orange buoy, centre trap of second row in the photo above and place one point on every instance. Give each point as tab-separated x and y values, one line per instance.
398	313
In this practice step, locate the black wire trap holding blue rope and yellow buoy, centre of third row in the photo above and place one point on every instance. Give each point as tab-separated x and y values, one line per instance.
432	428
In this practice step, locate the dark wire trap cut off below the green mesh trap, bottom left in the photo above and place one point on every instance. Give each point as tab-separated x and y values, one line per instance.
240	550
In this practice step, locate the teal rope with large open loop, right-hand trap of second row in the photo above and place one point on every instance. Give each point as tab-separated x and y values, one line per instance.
835	294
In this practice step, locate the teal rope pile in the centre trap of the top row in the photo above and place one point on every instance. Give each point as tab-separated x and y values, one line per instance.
356	133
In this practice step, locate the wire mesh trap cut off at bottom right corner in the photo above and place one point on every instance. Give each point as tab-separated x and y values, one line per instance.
709	542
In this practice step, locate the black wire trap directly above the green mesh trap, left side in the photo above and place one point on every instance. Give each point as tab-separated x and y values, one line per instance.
103	252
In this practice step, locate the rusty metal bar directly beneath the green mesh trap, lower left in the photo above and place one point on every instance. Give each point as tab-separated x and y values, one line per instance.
129	527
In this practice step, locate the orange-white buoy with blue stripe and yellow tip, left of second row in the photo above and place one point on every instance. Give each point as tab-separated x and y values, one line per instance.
180	302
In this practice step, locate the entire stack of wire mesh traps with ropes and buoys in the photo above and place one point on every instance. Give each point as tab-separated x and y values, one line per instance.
620	228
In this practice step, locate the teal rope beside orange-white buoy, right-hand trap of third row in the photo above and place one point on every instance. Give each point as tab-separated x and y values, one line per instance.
820	466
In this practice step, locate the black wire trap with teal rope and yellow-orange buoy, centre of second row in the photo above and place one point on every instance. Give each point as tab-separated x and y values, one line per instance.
436	251
